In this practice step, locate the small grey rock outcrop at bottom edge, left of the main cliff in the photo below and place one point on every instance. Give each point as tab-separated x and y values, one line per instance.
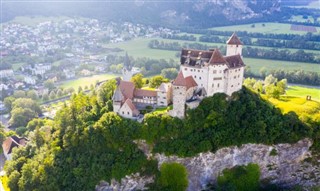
132	182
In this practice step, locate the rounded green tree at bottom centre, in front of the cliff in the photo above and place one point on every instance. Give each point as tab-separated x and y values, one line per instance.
173	177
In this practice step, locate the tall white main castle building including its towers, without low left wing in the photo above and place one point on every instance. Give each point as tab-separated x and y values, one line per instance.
204	73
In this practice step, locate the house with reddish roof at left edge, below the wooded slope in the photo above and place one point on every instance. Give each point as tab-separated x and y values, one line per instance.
10	143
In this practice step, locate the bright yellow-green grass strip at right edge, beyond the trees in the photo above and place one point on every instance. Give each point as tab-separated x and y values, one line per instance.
302	92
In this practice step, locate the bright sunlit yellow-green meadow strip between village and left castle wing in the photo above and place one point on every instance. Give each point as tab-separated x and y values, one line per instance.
87	81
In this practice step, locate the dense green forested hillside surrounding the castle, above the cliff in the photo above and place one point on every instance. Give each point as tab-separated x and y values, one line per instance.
86	142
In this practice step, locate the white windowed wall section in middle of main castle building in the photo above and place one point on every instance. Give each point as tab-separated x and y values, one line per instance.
216	79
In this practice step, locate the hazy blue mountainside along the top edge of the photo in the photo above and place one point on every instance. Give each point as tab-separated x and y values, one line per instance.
202	13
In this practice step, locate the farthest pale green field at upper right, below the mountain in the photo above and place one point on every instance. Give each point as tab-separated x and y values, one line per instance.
278	28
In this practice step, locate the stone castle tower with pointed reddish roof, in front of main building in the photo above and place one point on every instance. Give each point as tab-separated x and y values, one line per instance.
179	96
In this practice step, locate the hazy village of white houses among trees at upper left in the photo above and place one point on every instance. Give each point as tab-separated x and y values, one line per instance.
35	58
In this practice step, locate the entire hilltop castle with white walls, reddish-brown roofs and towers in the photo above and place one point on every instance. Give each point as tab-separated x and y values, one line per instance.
202	74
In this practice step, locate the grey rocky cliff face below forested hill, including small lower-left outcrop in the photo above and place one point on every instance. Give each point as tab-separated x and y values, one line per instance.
283	164
